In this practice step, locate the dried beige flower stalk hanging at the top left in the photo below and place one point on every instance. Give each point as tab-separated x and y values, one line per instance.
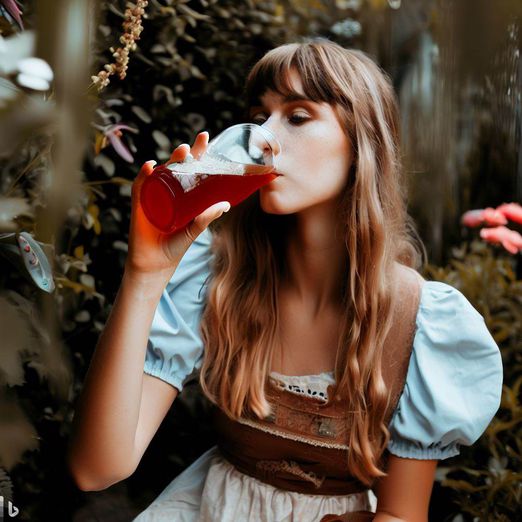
132	28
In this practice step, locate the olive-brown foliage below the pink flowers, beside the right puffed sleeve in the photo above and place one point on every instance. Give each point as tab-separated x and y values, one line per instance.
486	478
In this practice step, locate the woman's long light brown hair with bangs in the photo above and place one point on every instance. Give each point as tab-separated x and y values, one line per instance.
240	323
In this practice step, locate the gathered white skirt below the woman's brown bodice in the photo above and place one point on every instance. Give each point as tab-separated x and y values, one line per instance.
213	490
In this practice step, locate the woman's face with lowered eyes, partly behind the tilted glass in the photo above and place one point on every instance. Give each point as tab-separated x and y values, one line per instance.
316	153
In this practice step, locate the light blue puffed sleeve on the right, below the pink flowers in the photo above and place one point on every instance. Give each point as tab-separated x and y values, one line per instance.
454	380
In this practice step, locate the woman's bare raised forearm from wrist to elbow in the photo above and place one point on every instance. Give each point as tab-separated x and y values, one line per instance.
107	412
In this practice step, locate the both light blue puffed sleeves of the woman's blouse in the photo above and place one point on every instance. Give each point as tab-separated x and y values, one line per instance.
454	380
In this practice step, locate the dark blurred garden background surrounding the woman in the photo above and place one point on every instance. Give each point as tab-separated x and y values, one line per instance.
90	90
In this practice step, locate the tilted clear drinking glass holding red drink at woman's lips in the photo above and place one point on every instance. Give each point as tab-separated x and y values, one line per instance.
236	163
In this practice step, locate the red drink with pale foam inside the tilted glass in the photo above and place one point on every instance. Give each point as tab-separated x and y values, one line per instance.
173	195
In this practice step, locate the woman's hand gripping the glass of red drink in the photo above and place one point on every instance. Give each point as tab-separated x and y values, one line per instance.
152	252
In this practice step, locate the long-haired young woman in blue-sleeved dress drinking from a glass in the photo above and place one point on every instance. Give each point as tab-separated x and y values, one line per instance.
334	368
